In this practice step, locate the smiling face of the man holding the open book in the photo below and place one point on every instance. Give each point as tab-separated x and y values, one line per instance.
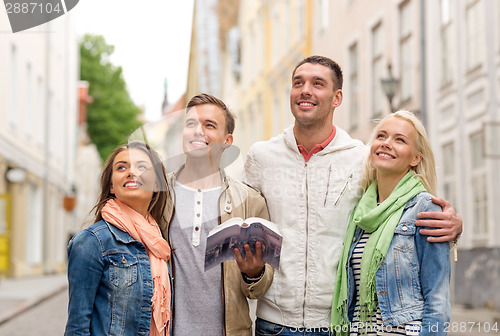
205	130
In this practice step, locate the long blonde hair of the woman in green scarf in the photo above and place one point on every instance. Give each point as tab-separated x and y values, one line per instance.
425	169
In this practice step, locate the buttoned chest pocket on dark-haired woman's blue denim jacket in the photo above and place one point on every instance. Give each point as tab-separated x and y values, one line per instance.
122	269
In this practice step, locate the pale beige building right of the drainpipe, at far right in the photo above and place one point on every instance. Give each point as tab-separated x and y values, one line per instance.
463	85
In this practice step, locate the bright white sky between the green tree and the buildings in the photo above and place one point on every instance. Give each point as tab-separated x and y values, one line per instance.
151	39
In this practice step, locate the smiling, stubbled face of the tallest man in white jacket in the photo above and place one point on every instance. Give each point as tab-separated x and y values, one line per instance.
314	96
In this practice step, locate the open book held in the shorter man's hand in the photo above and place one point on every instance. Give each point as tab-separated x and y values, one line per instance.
236	232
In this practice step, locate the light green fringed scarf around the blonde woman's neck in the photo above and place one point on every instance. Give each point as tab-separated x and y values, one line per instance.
381	221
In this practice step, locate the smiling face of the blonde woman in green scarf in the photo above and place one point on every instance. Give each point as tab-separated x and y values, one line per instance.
394	149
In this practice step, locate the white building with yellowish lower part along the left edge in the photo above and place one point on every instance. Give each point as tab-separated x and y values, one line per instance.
38	107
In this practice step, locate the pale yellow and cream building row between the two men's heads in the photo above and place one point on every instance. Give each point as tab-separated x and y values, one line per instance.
257	45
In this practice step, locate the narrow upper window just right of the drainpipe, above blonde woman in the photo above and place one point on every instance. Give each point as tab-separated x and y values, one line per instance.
446	39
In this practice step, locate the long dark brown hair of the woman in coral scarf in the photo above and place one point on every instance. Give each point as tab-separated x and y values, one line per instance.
158	202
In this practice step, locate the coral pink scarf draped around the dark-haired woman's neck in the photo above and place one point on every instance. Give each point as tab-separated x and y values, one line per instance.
148	233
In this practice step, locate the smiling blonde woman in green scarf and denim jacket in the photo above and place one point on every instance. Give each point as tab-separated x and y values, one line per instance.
391	280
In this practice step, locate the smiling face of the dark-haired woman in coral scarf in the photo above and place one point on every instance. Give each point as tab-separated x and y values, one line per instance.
133	179
